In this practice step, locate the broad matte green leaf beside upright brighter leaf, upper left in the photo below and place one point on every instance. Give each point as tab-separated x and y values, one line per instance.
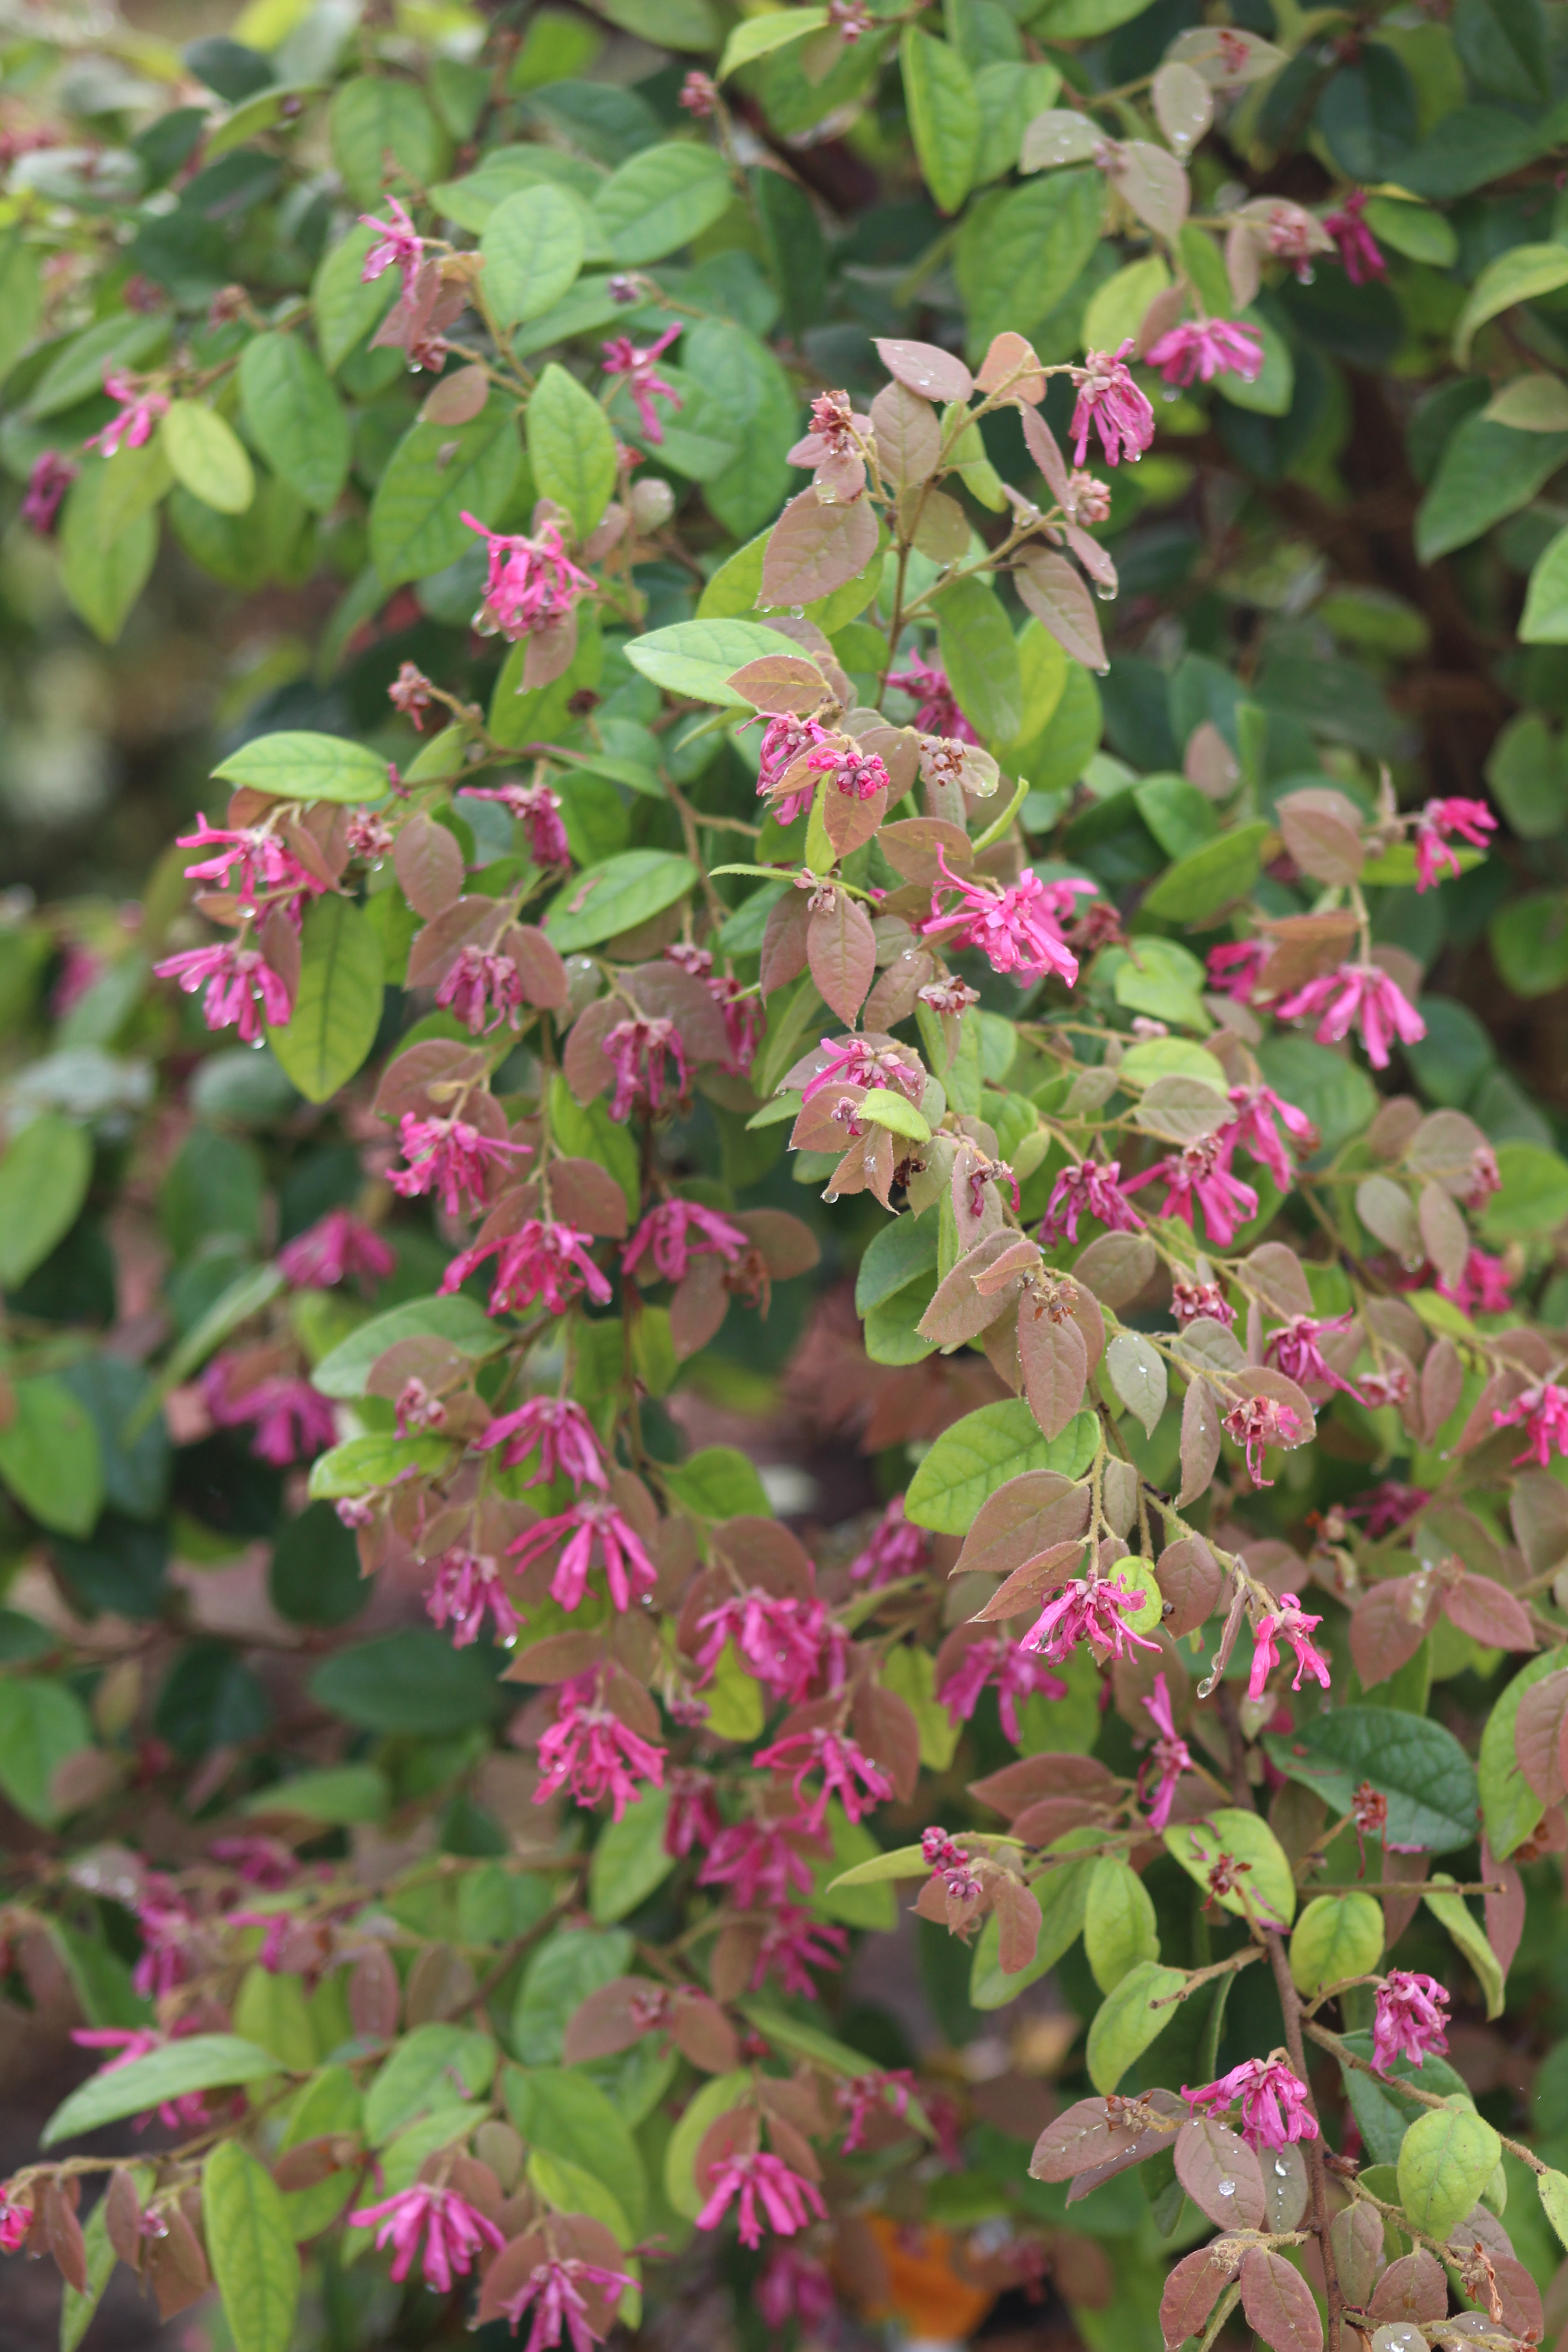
434	476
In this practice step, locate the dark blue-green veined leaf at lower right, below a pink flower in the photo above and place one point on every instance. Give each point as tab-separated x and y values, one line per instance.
1421	1770
